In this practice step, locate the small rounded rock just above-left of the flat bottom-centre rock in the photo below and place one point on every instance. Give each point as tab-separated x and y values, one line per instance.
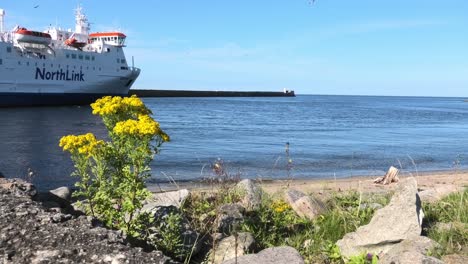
226	248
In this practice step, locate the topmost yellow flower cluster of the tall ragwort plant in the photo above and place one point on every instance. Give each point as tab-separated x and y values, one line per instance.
113	104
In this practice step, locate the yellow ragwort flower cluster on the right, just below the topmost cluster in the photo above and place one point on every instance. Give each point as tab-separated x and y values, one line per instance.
144	126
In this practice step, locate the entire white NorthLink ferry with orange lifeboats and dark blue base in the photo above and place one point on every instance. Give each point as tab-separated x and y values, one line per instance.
62	67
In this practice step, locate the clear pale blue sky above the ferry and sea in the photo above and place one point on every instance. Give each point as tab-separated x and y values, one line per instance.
362	47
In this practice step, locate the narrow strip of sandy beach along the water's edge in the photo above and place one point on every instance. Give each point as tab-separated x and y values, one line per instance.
426	180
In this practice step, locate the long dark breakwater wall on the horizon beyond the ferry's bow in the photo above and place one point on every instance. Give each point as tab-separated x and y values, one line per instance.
186	93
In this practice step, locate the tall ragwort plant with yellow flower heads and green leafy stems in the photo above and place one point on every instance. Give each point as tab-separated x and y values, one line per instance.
112	173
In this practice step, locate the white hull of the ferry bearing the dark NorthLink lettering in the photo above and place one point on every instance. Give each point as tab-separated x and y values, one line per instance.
59	75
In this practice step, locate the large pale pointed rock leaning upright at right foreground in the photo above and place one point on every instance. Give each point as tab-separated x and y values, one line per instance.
399	220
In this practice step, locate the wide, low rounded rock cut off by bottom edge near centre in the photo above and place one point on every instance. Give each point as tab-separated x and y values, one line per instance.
275	255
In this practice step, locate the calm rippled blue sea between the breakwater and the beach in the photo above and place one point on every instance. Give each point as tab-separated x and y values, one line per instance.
328	136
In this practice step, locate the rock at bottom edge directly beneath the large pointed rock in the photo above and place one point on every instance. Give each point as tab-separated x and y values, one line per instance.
412	249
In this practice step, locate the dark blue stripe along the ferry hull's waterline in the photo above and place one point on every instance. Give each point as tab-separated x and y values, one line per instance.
38	99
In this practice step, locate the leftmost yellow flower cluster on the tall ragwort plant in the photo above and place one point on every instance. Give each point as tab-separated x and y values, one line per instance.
84	144
